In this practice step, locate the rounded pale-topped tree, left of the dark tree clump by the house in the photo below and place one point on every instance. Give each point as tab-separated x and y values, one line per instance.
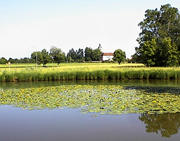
57	55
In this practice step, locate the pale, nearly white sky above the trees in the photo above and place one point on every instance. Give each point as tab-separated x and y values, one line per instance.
27	26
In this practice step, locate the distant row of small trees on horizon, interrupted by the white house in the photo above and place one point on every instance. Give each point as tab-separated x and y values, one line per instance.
56	55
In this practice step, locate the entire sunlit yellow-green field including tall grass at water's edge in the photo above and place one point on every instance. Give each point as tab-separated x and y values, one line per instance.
85	71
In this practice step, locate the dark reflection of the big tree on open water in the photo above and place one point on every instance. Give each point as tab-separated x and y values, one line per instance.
165	124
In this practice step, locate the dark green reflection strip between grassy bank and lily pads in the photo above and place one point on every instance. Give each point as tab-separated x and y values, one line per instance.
126	83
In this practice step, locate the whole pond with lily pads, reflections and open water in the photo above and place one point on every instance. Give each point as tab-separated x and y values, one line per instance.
90	111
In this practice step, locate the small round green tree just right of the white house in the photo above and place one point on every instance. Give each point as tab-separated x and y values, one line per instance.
119	56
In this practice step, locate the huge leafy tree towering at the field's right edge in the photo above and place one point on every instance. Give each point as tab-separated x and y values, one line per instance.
159	40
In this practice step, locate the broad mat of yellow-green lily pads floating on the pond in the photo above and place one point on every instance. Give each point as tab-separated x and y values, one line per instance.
103	99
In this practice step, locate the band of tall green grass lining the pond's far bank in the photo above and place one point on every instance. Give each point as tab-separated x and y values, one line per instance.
86	73
